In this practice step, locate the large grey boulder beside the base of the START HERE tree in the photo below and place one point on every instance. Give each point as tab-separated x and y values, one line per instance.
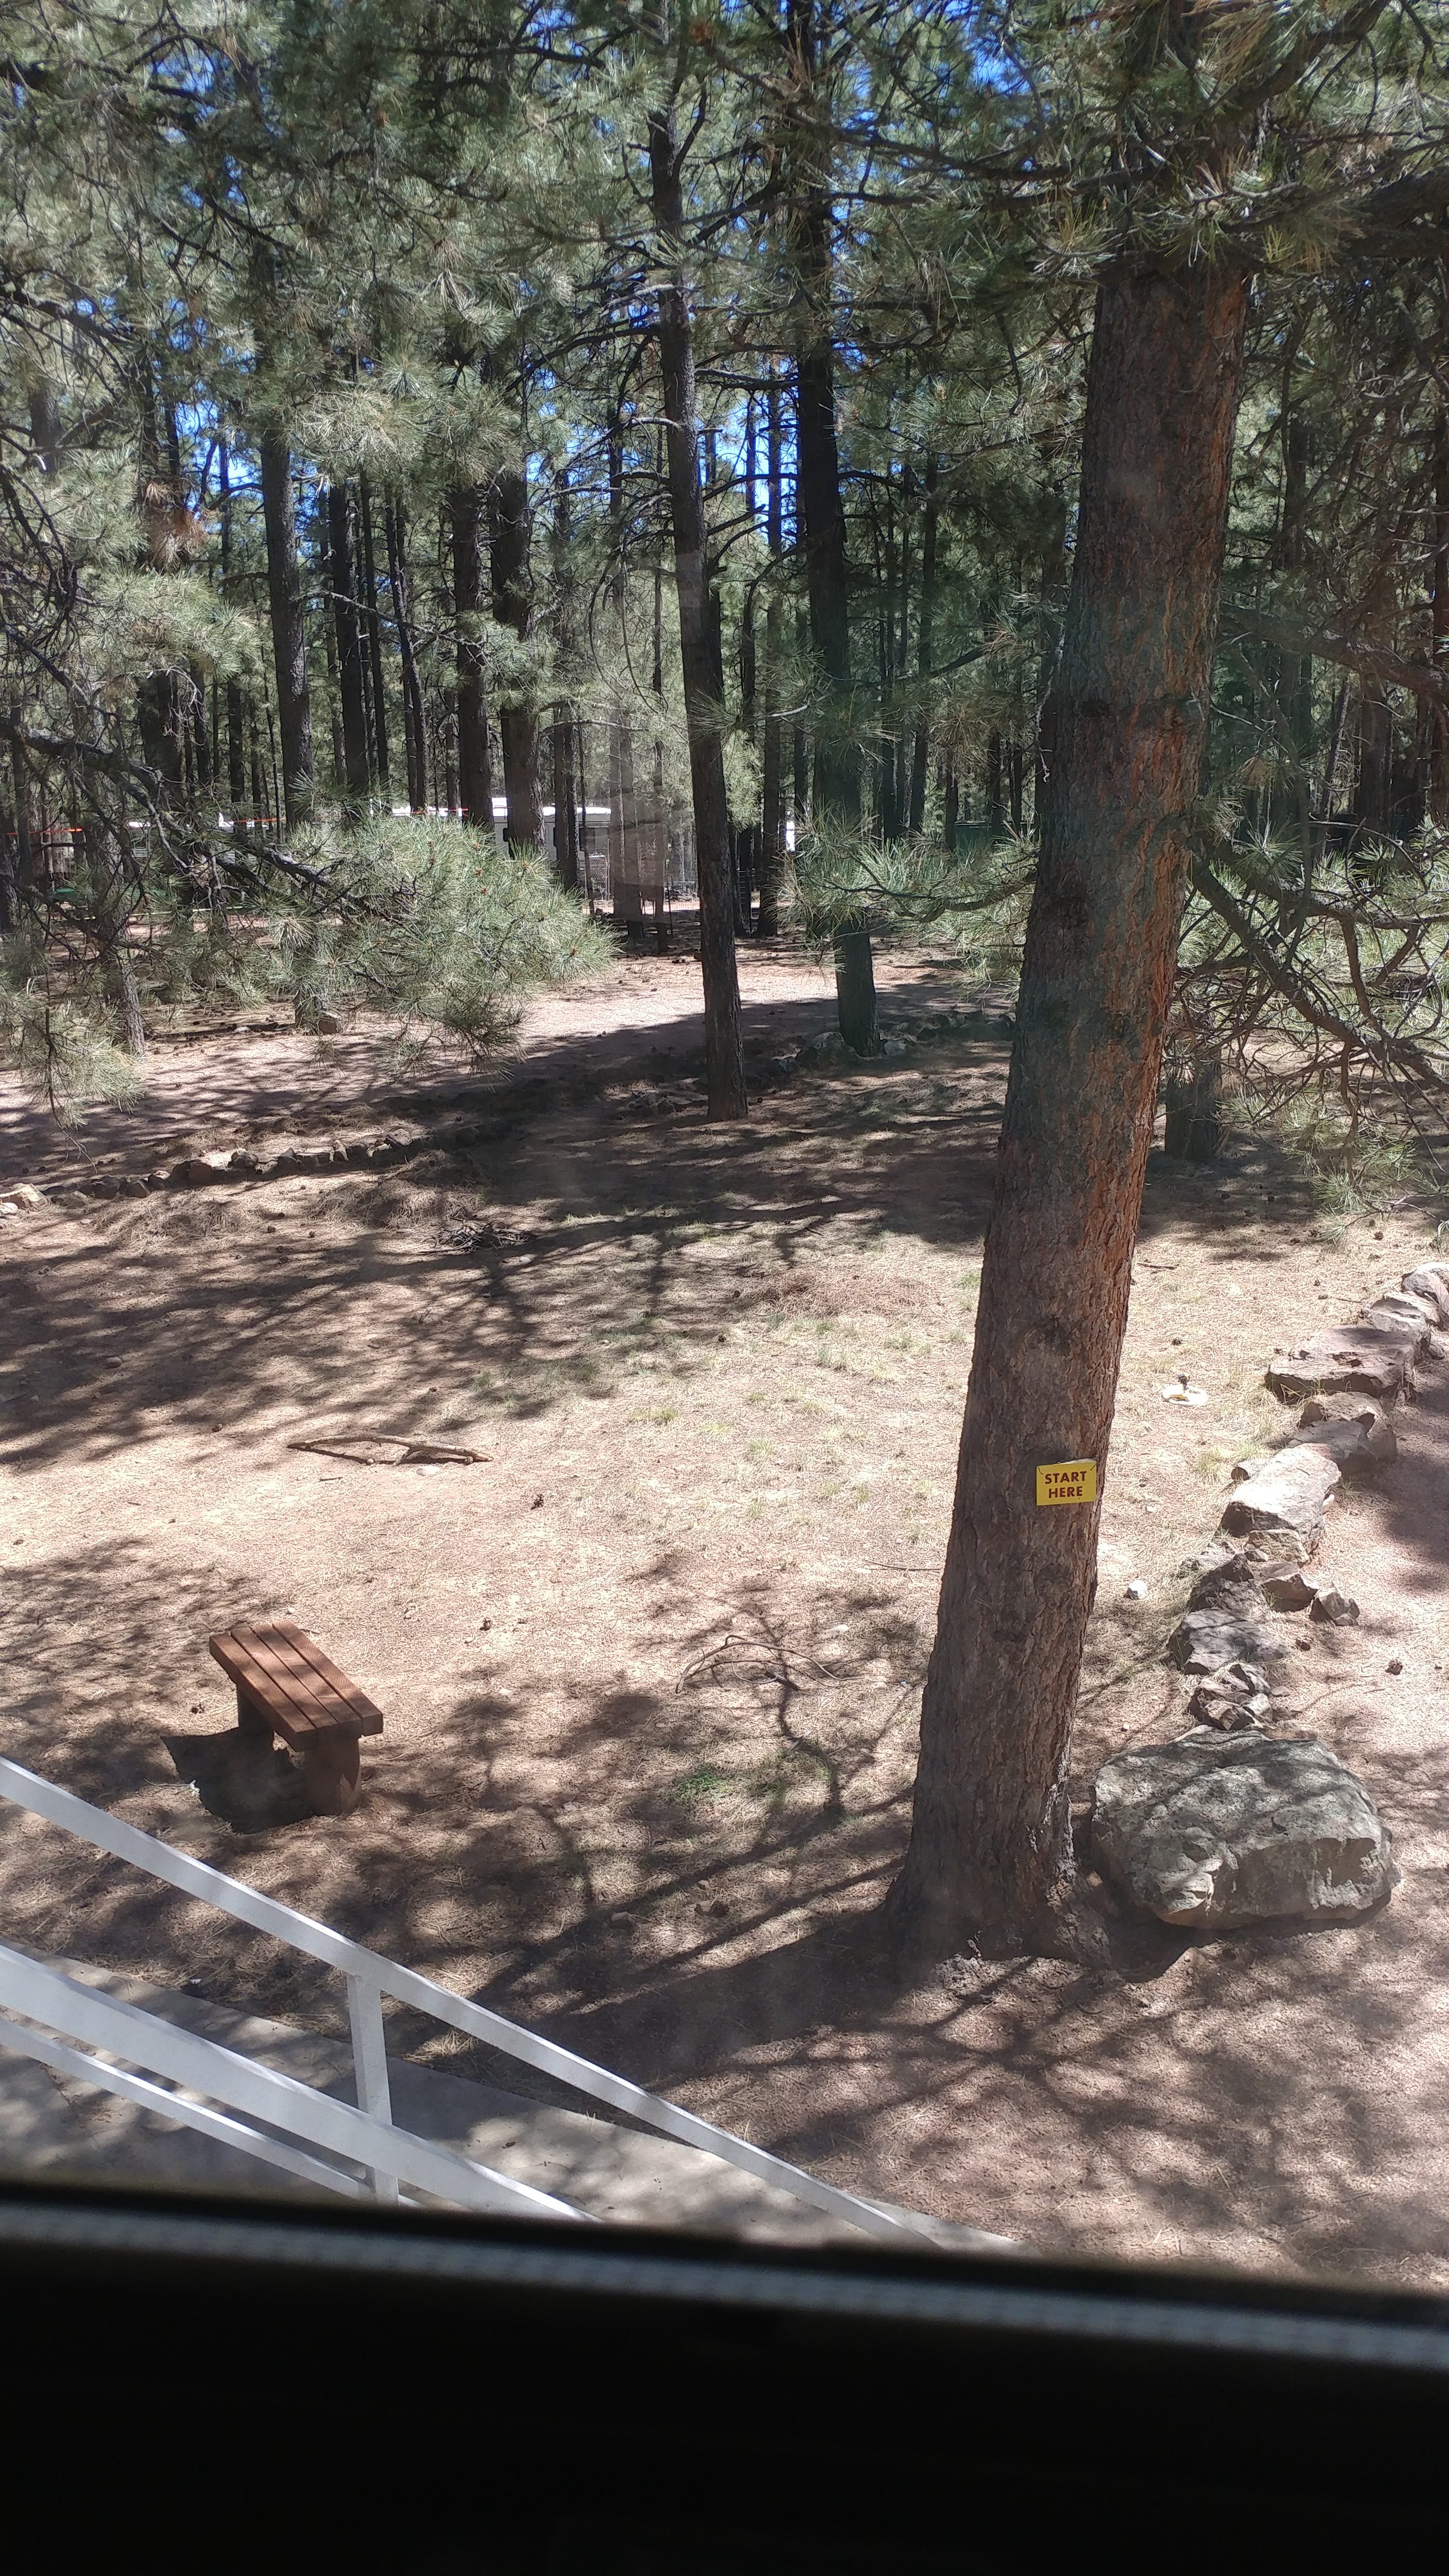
1226	1830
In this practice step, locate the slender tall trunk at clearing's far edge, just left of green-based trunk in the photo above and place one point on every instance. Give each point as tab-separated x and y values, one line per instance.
700	653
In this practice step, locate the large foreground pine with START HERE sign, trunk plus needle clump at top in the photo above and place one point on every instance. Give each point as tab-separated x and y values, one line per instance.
1125	738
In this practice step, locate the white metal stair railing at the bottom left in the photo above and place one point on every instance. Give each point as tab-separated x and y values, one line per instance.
375	2155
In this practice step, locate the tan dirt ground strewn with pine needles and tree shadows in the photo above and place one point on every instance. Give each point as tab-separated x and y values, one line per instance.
651	1668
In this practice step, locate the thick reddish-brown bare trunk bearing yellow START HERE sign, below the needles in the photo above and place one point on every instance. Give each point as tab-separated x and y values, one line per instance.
991	1838
